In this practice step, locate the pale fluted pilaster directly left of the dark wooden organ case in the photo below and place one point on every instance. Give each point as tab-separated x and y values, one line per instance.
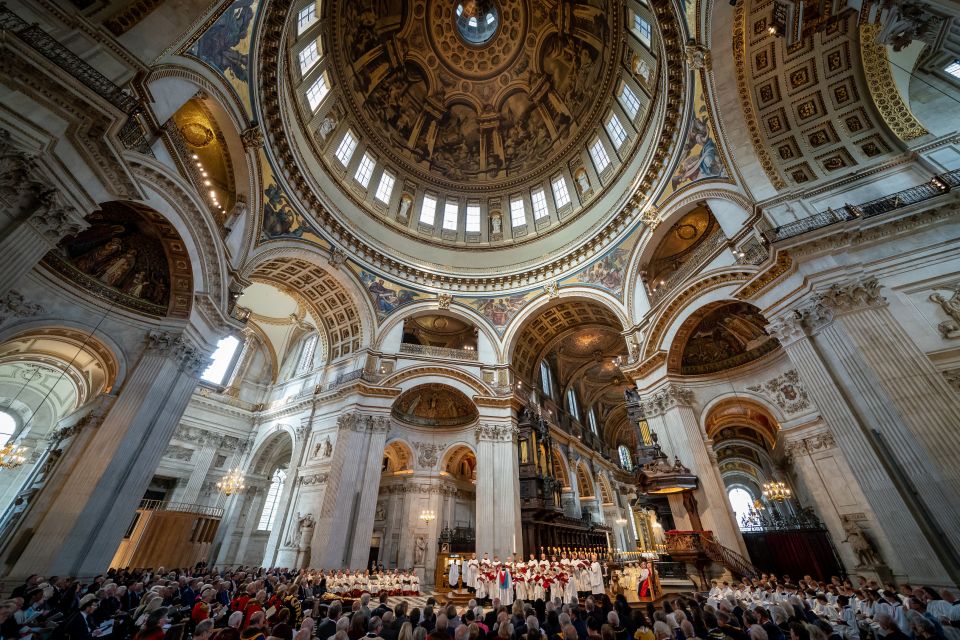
498	491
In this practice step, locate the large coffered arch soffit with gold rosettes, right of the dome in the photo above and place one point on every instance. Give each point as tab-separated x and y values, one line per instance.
808	106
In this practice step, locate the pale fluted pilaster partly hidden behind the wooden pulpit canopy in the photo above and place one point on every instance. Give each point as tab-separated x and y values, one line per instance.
669	411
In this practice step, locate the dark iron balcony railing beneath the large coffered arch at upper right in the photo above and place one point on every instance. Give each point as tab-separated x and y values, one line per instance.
936	186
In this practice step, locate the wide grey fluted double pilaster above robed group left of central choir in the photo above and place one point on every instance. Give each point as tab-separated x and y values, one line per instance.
342	534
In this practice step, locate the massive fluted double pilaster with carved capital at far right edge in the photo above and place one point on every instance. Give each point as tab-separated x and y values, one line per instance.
888	414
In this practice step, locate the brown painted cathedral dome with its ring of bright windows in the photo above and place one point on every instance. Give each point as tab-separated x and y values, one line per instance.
512	129
